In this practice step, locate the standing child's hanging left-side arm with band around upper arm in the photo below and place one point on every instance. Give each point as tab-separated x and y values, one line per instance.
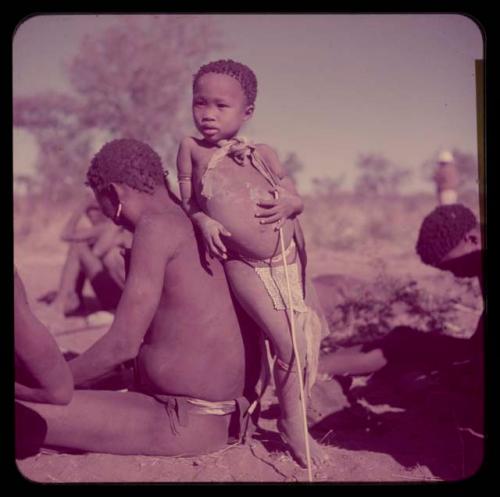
210	228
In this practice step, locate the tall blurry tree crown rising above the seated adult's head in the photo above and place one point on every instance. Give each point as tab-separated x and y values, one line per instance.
133	78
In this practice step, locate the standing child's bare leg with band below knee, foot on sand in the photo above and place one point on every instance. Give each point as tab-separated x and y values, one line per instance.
253	297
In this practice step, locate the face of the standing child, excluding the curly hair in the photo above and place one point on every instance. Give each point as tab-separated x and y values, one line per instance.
219	107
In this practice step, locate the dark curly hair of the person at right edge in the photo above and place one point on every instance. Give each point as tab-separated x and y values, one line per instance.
442	230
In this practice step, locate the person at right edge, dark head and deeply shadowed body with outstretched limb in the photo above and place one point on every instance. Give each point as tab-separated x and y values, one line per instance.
432	377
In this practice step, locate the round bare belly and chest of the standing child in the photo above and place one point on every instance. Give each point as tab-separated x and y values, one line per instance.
234	193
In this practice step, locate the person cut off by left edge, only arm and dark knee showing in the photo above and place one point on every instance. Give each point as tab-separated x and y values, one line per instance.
41	373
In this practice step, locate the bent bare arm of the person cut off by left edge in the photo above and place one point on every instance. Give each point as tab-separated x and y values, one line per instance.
39	355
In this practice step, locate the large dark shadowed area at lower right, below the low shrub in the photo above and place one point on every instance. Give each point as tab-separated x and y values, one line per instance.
424	407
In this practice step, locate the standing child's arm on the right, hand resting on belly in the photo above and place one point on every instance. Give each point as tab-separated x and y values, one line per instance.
287	203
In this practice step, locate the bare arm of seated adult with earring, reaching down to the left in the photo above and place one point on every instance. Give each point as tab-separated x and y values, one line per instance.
151	250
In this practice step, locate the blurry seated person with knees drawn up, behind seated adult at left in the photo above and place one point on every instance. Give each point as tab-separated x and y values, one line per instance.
94	254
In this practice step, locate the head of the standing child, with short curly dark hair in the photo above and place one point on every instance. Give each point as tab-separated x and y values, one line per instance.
224	95
